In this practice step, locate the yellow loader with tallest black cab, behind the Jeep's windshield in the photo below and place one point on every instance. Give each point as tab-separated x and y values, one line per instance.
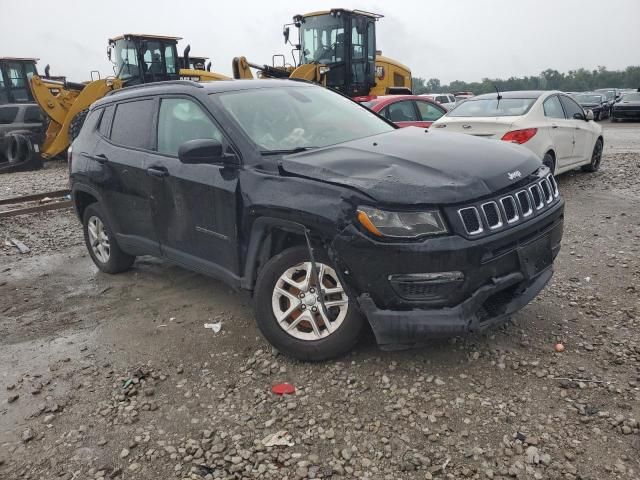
336	48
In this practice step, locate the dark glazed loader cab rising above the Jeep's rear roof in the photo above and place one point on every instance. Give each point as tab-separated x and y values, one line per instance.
144	58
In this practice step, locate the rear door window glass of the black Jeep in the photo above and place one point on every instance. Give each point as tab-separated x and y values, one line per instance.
132	124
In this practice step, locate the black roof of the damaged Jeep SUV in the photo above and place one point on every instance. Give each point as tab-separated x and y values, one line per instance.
182	86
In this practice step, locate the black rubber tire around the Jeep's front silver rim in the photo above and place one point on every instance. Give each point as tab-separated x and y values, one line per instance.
337	343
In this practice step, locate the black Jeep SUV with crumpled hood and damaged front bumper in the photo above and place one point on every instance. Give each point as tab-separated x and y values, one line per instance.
328	213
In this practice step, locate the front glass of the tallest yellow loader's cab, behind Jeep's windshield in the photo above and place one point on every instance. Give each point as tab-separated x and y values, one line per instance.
322	39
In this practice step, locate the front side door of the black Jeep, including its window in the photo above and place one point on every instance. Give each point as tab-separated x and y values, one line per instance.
194	205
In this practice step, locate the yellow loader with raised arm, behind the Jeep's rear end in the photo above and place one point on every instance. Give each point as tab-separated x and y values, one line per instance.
137	59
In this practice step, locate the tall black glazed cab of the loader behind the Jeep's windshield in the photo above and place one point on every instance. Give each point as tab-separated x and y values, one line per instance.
345	42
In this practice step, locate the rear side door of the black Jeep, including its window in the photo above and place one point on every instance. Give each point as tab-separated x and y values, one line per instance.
118	165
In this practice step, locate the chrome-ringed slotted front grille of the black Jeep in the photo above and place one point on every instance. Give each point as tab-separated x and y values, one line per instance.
510	209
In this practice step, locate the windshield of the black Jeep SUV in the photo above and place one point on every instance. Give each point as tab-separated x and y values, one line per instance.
289	118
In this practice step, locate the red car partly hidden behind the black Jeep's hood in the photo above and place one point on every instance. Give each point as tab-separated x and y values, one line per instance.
406	110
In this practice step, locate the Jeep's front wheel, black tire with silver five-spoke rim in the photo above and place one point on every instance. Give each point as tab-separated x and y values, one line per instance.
289	312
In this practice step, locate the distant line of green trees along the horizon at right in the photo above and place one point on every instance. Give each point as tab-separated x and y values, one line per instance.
573	81
